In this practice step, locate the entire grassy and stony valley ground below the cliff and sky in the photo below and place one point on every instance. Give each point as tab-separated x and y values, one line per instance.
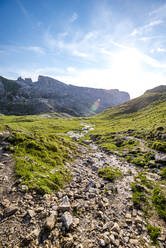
83	182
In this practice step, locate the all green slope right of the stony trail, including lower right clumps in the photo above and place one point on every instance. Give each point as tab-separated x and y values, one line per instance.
134	130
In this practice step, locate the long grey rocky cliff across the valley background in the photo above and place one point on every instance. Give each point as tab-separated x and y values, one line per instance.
49	95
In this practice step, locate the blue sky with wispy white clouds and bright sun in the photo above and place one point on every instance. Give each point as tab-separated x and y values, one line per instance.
110	44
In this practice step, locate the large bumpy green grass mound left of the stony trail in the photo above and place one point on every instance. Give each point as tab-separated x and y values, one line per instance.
40	160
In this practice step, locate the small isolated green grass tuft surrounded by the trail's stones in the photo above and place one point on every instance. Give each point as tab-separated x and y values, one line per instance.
110	173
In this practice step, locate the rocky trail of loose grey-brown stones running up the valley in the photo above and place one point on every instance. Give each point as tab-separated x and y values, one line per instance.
88	212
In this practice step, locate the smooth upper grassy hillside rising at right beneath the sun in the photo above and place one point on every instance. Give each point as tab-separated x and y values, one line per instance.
143	114
